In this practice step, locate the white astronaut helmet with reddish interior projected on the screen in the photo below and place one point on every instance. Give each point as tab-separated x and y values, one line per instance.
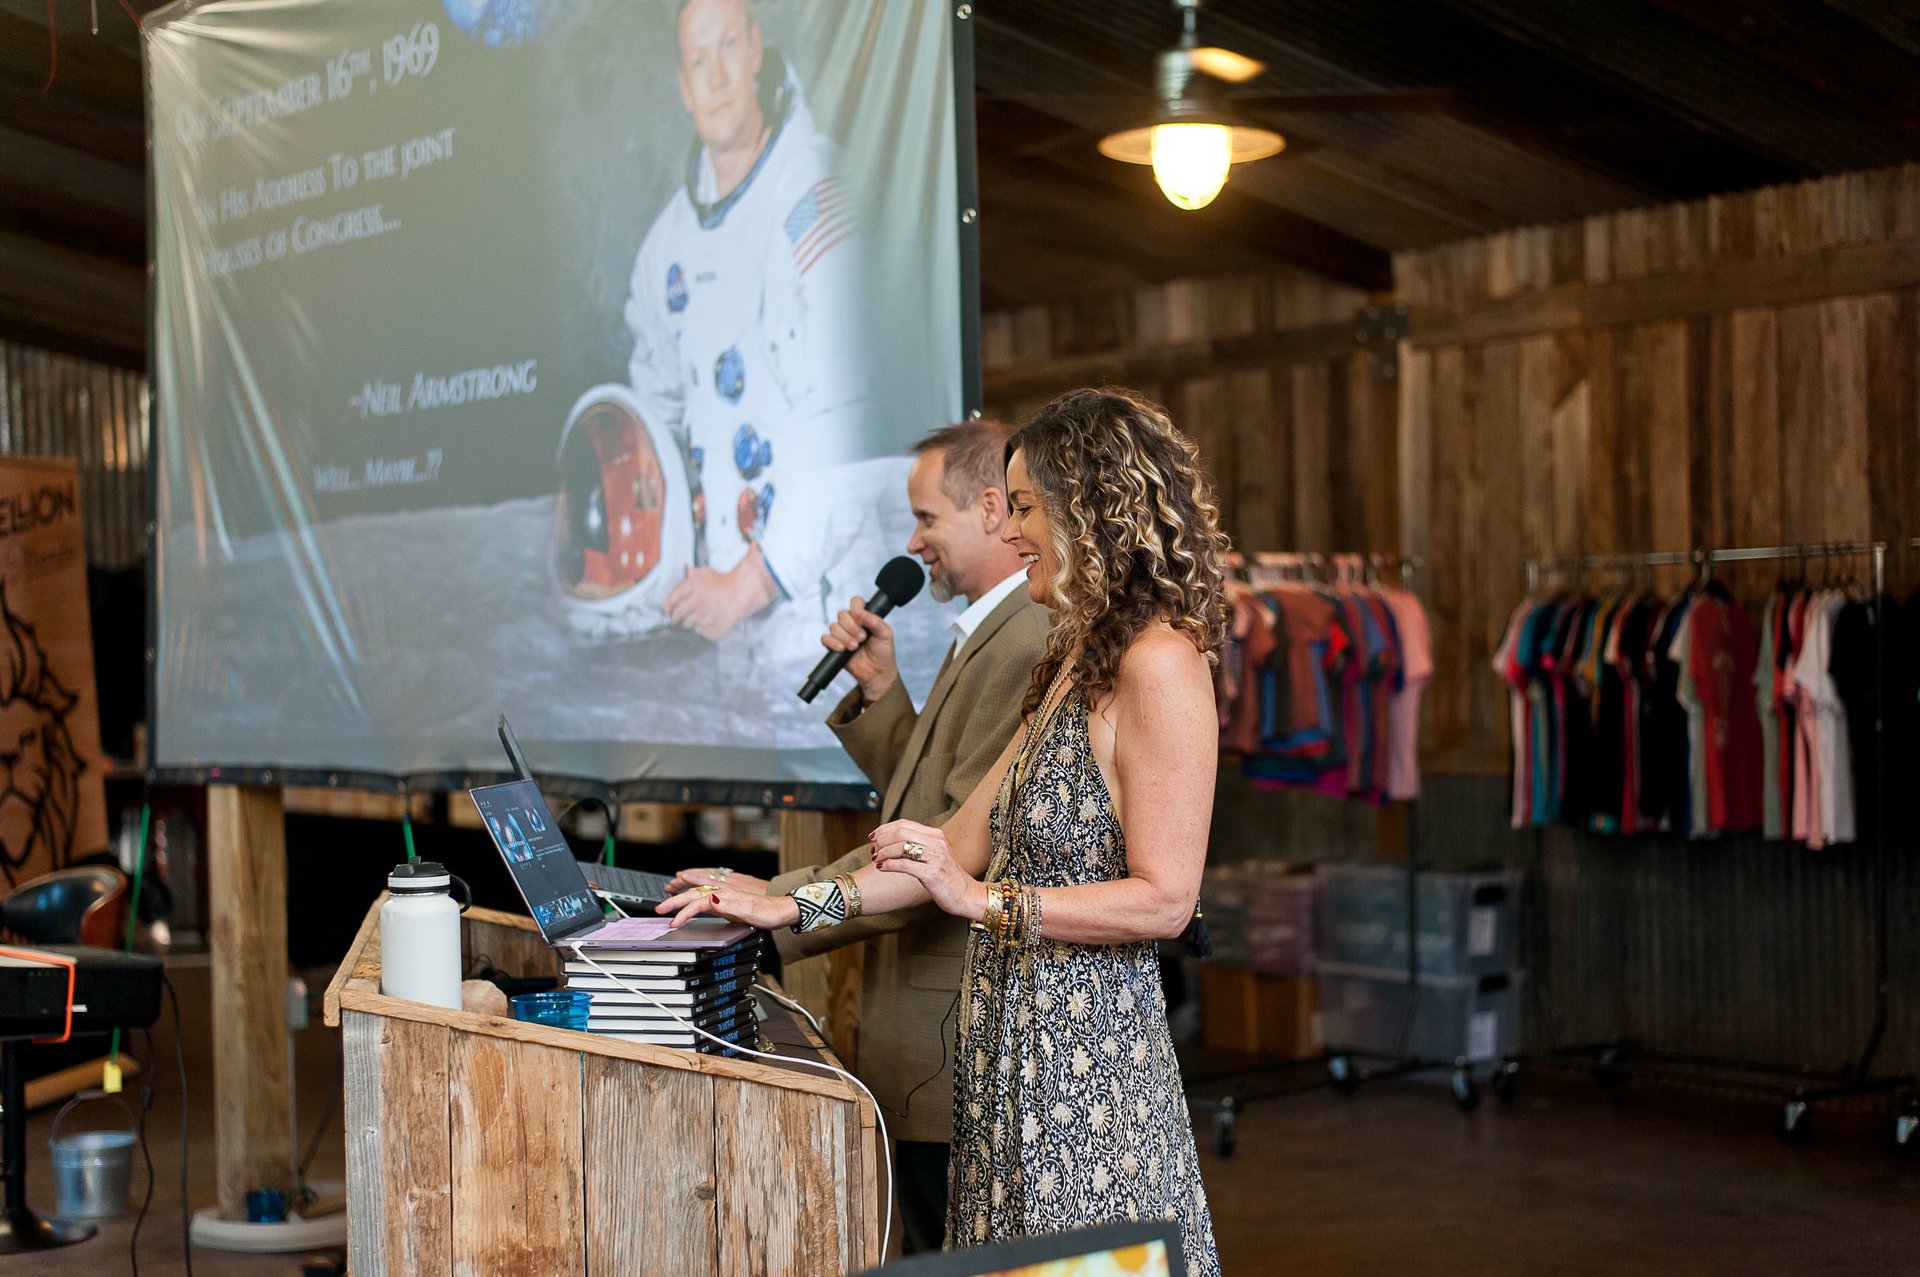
623	525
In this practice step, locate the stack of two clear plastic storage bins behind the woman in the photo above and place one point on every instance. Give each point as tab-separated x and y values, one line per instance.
1468	942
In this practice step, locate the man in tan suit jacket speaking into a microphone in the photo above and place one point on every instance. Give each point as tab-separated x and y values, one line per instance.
926	765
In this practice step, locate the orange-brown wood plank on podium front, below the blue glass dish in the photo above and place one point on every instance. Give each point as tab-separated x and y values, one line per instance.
517	1157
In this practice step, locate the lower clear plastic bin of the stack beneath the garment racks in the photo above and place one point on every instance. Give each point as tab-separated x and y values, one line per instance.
1474	1019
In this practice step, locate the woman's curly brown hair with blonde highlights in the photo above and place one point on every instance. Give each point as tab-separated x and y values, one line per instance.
1136	531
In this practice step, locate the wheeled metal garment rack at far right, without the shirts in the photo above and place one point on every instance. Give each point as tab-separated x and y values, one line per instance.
1794	1088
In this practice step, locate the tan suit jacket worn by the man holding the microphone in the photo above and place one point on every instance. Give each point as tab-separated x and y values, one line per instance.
924	765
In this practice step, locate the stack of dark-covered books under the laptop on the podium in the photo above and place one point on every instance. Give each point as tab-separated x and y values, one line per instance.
660	990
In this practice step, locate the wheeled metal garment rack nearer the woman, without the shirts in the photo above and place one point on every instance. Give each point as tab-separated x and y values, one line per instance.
1343	1069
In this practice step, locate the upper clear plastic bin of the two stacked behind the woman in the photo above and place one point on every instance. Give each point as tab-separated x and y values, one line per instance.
1468	923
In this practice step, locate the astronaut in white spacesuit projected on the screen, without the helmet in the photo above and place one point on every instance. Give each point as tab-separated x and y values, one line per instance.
748	331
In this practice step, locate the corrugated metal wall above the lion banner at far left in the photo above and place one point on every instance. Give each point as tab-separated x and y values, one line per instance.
53	406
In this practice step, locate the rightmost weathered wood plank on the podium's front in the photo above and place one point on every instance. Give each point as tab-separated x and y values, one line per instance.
780	1161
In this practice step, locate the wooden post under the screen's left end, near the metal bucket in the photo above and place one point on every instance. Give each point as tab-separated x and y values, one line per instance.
247	890
